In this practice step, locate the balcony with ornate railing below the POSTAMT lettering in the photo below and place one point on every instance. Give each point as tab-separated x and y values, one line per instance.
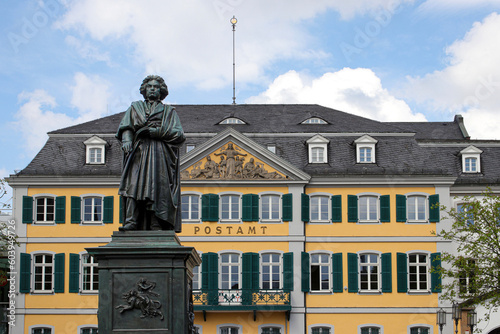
241	300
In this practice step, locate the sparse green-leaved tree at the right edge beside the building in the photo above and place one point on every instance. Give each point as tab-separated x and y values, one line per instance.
474	268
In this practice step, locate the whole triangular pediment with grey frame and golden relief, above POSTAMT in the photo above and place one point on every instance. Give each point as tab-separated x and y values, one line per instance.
231	156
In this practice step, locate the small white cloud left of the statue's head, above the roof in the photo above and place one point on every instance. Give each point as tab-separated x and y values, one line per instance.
36	117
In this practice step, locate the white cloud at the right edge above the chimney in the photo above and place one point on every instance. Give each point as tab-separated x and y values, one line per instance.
470	84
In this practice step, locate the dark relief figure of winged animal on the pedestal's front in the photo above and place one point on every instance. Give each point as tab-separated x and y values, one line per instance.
141	298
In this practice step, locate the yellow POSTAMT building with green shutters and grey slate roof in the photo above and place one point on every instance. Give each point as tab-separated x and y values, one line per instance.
307	219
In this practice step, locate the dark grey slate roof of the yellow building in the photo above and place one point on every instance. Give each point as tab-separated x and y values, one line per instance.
398	150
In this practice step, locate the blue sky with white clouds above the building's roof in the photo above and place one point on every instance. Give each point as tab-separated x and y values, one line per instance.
64	62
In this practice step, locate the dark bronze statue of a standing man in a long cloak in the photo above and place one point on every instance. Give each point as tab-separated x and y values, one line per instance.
151	133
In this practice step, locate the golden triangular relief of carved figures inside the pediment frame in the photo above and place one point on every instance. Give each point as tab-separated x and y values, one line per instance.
230	162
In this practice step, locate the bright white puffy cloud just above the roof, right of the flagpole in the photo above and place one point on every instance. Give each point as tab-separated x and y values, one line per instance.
356	91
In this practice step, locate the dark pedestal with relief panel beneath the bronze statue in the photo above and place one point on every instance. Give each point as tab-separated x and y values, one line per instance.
145	283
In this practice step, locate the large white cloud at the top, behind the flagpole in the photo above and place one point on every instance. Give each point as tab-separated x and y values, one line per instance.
190	42
